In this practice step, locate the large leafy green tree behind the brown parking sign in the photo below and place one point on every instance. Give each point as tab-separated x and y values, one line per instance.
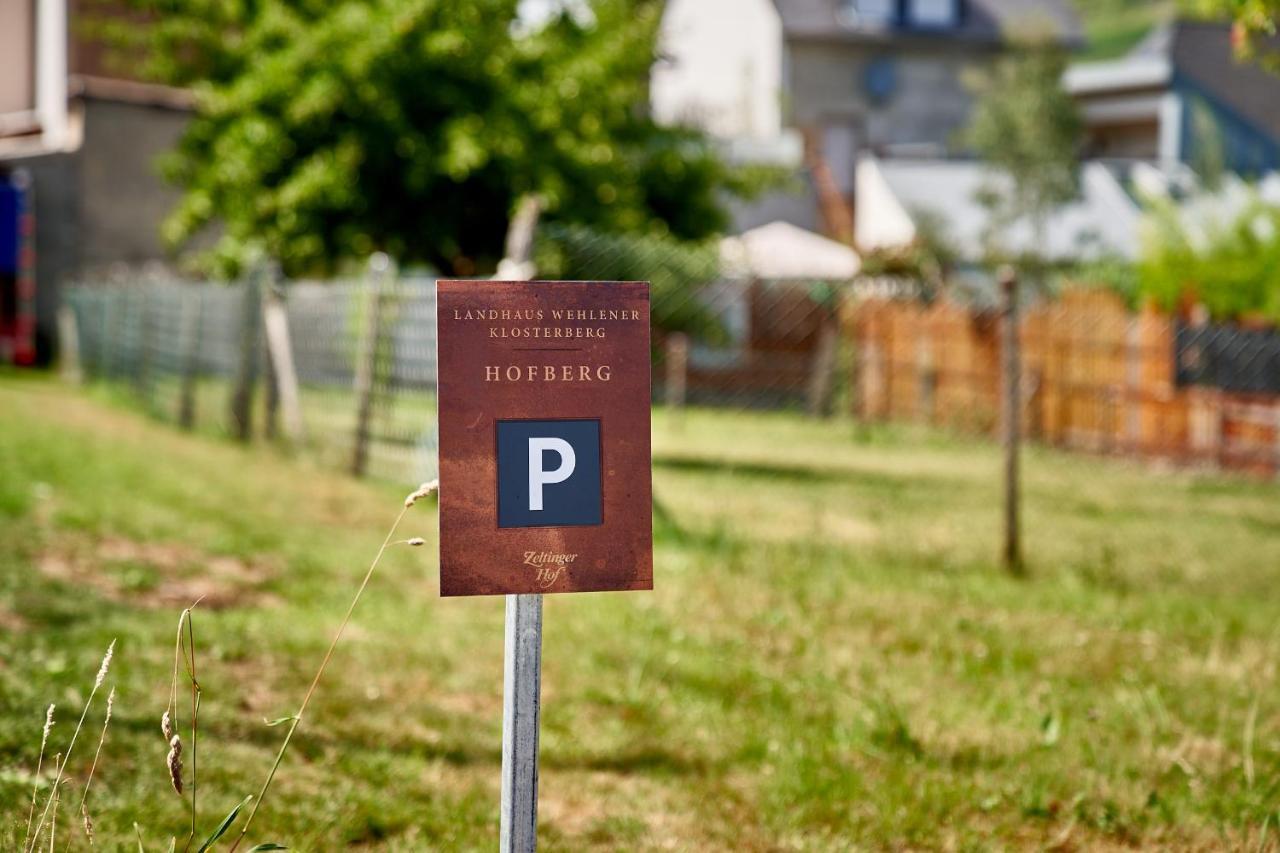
327	130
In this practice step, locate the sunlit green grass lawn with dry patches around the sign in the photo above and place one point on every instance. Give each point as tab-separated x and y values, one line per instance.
830	660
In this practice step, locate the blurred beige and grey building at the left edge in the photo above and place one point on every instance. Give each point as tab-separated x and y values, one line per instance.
79	148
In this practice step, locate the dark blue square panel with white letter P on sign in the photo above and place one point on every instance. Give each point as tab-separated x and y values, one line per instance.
550	473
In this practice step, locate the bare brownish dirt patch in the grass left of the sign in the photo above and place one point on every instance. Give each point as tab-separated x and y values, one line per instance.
157	574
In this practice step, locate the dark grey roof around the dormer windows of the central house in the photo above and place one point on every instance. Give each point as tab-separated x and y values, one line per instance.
980	21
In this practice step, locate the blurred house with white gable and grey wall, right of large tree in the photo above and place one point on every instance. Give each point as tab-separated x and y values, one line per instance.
819	84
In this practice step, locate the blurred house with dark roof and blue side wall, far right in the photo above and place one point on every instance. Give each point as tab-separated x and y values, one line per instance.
1182	97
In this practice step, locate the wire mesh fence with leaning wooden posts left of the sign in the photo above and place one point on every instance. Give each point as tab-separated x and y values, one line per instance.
202	355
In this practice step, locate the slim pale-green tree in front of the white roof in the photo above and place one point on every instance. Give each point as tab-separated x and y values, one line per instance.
1026	127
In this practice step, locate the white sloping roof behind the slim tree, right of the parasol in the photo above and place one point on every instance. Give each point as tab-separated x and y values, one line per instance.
1101	221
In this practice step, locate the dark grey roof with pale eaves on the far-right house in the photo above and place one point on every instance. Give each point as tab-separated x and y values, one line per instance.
1197	53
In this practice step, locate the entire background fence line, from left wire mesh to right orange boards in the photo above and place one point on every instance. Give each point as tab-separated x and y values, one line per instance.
362	358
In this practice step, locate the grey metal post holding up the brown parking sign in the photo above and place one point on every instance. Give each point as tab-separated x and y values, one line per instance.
523	665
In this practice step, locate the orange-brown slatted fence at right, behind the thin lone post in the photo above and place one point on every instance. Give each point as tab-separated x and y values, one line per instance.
1095	377
